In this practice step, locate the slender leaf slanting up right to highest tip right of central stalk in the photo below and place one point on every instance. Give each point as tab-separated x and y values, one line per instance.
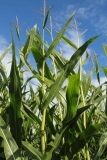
58	38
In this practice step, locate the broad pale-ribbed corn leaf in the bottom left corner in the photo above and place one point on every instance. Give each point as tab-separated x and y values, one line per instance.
11	149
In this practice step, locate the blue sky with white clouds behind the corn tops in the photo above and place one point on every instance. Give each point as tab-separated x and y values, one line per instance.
91	14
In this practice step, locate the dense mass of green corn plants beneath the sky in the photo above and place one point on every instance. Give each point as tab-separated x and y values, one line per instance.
64	117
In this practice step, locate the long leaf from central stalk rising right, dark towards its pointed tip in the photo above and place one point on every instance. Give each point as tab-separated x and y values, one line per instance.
64	73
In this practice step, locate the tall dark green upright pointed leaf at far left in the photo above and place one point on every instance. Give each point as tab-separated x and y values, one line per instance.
15	99
